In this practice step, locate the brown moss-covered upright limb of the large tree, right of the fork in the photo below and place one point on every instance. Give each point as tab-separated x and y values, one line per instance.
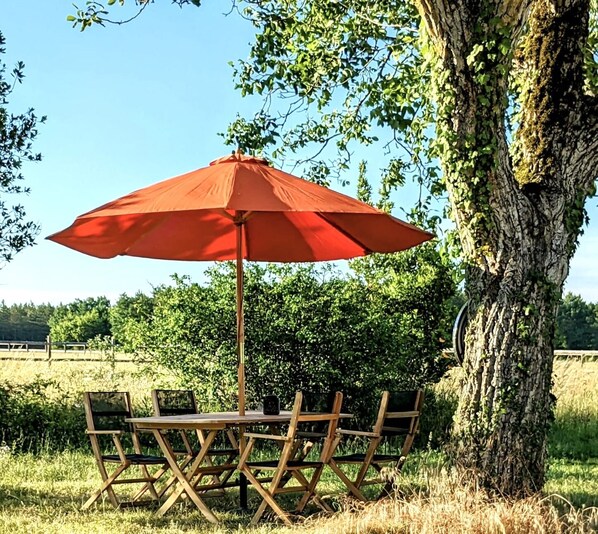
552	103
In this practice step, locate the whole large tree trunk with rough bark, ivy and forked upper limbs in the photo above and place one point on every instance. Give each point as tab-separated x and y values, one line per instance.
518	204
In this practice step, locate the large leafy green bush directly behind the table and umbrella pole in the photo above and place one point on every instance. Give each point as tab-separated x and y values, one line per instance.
310	328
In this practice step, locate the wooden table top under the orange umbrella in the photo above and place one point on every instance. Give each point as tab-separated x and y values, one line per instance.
205	420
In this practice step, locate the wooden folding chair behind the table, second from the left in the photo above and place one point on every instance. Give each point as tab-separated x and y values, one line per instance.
182	402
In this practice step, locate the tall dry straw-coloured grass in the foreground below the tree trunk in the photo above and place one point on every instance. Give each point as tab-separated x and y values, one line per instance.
450	505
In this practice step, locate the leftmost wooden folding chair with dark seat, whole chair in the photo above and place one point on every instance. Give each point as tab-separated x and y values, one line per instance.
105	413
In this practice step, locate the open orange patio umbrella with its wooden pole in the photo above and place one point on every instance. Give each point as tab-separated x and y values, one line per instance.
238	208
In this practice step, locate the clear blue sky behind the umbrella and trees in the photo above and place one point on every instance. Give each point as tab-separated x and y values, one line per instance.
128	106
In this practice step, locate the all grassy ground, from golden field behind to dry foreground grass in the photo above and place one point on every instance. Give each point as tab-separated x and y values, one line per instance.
44	492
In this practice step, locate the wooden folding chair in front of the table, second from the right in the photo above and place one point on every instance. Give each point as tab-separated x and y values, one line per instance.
287	464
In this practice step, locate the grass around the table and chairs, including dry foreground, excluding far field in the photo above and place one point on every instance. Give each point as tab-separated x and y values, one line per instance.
43	494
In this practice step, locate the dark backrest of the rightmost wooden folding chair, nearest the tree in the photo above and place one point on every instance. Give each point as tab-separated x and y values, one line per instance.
399	413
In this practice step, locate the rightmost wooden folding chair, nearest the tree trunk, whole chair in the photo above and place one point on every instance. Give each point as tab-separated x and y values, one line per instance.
398	415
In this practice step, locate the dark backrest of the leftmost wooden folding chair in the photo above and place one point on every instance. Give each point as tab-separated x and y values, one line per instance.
107	410
